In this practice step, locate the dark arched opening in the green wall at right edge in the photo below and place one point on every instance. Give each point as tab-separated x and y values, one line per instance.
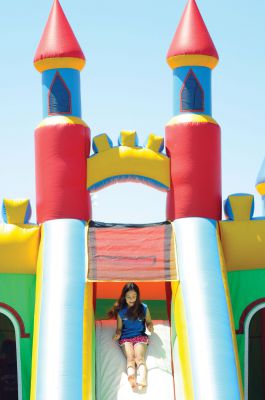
256	365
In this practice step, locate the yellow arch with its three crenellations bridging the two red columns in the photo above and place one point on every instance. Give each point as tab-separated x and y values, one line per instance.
128	162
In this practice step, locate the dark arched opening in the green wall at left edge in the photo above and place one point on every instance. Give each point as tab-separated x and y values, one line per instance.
8	360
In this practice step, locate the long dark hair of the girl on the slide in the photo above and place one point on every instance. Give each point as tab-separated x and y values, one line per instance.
137	311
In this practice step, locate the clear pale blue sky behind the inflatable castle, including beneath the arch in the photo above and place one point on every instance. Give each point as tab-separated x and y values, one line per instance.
127	85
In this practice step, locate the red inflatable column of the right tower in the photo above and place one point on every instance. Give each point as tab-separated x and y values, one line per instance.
195	153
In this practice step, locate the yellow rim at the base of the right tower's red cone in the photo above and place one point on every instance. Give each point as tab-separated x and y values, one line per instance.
196	60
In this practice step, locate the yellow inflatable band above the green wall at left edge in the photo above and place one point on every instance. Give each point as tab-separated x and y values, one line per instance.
19	247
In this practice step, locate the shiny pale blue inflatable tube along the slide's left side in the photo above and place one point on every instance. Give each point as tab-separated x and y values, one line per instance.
59	362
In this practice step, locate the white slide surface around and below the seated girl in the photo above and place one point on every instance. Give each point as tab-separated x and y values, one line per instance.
111	378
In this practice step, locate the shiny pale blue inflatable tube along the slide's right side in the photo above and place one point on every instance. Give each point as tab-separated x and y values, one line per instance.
213	362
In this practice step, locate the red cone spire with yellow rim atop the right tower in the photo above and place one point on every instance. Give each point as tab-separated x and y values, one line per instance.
192	43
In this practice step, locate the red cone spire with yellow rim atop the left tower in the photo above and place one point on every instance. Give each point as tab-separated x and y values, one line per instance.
58	47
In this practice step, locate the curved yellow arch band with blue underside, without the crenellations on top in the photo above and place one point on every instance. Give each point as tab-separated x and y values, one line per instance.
123	161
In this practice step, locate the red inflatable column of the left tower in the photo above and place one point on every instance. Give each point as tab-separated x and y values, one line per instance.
61	153
